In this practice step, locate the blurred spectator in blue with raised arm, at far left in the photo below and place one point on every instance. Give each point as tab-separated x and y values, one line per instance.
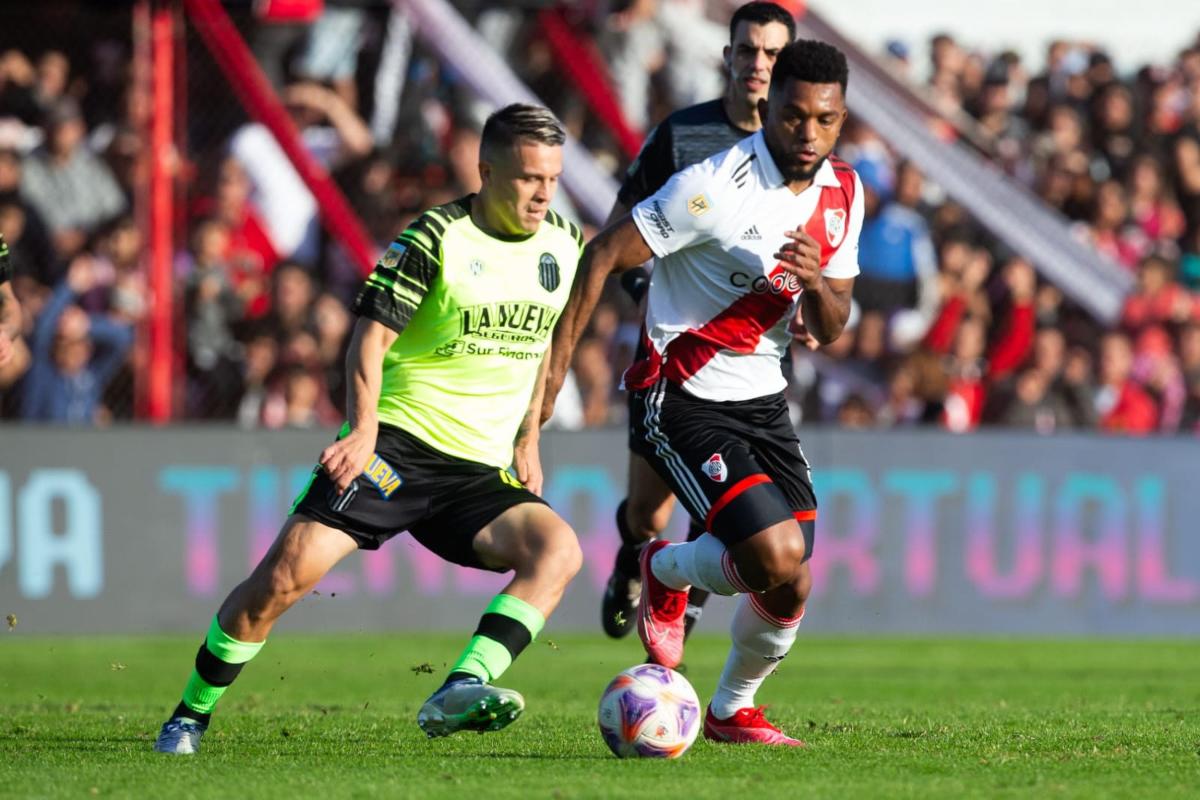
75	354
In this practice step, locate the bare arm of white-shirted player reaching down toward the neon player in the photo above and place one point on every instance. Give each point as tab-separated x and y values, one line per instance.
616	249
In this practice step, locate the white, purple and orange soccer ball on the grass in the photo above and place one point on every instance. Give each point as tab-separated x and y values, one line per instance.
650	712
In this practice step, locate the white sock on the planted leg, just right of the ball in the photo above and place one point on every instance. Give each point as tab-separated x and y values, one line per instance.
760	642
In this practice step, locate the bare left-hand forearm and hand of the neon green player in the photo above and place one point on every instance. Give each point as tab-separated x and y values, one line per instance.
349	456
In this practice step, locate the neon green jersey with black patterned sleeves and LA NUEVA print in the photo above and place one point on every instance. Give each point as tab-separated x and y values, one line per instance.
476	316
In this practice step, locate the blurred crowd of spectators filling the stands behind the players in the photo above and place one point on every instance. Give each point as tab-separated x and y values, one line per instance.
950	329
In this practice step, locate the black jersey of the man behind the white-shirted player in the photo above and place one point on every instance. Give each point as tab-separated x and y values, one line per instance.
685	139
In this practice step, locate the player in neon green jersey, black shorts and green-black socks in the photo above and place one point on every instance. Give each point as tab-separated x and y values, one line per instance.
446	372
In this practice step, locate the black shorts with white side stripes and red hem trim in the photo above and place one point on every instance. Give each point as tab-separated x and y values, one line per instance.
736	466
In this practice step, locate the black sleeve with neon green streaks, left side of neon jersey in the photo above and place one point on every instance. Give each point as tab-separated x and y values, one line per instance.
403	276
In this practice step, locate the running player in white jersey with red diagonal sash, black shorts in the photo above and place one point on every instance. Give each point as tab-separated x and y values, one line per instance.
743	244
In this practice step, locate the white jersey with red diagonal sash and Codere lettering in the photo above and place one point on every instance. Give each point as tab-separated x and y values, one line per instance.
719	304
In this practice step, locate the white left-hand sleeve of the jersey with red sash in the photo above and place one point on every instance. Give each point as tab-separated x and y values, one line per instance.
682	214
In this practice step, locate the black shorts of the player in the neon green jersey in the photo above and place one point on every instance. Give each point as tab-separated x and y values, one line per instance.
443	502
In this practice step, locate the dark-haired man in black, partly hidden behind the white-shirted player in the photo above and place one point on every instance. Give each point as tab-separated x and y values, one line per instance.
758	33
